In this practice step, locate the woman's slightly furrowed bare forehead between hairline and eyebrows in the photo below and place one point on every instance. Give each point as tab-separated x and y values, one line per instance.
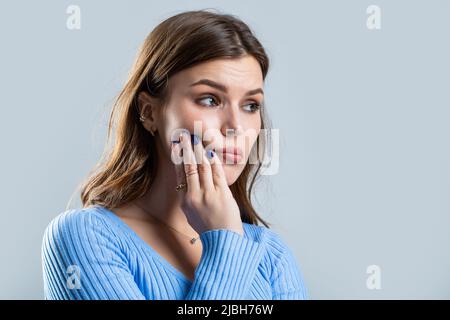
237	74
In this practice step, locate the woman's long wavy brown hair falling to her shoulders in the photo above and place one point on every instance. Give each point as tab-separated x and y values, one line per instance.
128	164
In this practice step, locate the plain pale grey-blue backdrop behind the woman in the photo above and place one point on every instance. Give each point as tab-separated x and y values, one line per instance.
363	117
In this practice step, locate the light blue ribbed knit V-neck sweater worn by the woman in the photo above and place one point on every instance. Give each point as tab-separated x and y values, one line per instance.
91	253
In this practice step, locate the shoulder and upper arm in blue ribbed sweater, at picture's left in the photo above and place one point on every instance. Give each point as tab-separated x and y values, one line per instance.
84	243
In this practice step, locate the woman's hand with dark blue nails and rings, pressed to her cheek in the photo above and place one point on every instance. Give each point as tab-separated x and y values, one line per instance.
207	200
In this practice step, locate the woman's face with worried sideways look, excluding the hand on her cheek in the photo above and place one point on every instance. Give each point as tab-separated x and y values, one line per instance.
210	98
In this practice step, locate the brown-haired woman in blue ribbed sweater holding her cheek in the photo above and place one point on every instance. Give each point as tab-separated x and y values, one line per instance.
179	171
